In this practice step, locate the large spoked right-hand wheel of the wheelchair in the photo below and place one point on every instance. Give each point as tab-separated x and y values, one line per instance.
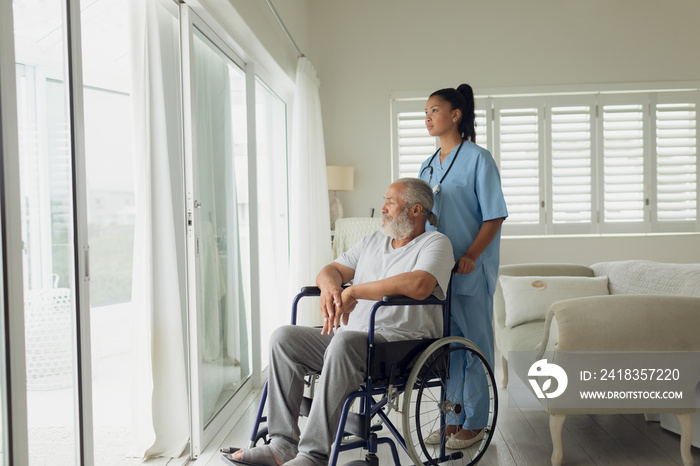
451	383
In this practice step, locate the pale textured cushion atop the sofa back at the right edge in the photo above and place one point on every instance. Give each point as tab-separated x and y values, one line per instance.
646	277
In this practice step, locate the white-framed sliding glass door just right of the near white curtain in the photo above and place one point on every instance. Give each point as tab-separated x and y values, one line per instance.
218	233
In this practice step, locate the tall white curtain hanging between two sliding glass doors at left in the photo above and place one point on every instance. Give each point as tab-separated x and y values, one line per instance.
160	403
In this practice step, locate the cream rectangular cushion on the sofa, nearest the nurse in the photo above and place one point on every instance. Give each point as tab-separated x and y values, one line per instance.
528	298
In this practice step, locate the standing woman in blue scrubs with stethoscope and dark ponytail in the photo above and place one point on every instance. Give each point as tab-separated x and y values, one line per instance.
470	205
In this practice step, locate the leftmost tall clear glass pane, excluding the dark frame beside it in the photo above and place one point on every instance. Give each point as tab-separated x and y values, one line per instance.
47	230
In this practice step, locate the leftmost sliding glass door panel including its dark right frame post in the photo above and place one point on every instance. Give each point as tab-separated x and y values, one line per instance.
49	110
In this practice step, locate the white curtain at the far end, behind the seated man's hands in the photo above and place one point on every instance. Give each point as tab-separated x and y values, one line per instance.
310	235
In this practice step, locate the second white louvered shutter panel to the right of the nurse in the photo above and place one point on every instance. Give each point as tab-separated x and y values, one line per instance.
571	164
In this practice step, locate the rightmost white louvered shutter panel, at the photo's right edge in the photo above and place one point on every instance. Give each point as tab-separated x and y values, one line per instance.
676	161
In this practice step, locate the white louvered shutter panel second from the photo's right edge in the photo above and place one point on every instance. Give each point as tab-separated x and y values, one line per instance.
623	162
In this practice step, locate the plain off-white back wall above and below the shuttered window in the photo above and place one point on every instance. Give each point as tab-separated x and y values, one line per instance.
365	50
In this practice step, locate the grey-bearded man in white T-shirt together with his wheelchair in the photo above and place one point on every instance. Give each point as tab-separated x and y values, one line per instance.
404	261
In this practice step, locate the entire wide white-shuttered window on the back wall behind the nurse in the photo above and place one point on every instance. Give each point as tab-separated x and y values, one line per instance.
584	163
